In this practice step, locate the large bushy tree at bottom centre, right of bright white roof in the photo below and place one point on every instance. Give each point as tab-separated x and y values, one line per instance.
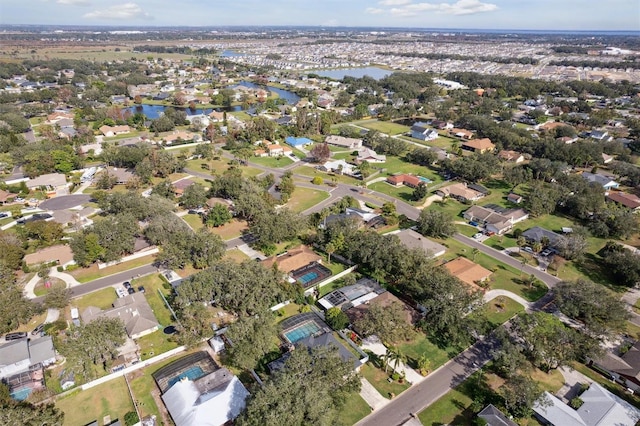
310	389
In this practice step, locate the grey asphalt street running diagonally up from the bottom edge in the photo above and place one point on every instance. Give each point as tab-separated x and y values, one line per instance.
420	396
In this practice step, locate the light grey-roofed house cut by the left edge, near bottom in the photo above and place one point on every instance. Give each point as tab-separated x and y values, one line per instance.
20	355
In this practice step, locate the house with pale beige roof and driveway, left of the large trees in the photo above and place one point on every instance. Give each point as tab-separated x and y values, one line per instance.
134	311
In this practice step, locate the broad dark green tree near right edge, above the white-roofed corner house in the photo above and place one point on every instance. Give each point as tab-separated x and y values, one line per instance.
601	312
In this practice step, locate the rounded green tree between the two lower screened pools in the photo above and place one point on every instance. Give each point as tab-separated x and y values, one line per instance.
252	338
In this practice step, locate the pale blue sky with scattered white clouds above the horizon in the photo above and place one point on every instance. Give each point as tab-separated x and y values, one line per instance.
480	14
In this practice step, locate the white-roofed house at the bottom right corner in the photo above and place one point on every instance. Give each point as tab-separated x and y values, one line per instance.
600	408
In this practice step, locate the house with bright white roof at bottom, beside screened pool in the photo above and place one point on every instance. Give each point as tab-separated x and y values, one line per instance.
214	400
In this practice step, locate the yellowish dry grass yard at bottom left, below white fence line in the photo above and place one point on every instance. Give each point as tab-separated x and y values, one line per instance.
108	399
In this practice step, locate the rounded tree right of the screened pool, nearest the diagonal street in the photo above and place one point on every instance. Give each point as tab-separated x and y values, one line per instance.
390	323
